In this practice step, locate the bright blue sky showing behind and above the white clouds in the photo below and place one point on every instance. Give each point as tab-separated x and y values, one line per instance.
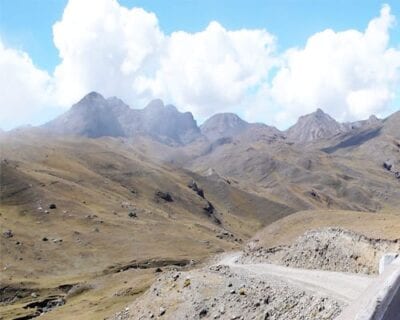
27	26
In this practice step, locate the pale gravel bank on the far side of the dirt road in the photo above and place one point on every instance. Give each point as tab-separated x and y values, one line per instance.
330	249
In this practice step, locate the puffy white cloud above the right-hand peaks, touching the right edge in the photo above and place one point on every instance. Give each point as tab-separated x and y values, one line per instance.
350	74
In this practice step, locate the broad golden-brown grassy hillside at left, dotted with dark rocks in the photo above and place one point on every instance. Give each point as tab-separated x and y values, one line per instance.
76	211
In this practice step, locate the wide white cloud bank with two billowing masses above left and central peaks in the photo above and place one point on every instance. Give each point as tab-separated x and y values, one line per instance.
118	51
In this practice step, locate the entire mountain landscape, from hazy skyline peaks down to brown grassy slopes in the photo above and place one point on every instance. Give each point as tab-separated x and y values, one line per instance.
97	201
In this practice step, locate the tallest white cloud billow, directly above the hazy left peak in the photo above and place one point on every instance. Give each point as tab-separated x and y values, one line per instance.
105	47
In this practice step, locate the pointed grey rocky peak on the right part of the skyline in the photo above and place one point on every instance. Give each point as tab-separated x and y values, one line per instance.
314	126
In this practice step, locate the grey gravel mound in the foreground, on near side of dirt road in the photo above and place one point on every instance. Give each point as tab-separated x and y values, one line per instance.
218	292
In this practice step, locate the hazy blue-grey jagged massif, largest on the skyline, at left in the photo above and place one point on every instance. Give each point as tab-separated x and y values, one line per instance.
94	116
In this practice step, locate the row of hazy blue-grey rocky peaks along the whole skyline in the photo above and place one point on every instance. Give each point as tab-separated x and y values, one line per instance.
95	116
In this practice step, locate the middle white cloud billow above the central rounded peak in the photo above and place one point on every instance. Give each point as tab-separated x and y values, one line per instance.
213	70
